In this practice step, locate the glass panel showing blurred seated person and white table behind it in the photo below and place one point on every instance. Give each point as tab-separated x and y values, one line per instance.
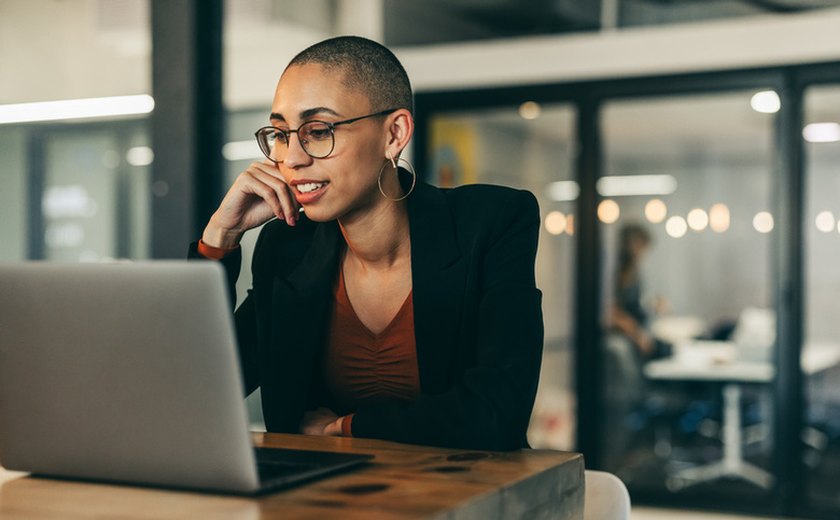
689	322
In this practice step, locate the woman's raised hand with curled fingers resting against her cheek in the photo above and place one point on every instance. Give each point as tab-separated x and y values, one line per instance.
257	195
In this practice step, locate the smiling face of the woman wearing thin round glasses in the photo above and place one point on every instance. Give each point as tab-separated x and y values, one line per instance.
346	180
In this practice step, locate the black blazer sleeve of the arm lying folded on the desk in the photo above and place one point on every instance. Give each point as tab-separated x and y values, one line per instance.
490	407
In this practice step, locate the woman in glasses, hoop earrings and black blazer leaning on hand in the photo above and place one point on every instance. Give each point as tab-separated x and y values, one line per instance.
381	306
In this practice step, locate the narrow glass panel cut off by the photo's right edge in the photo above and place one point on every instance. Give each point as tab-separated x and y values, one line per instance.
821	348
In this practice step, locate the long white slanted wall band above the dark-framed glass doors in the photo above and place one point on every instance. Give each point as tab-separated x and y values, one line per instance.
730	44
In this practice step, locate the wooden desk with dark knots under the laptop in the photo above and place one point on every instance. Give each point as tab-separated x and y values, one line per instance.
403	481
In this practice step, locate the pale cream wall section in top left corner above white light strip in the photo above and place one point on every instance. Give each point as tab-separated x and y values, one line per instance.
73	49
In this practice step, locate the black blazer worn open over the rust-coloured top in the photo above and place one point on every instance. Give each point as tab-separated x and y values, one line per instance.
477	320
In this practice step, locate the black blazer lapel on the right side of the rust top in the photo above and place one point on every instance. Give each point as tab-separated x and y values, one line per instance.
438	279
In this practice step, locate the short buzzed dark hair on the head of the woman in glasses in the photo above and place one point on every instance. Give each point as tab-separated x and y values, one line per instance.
368	67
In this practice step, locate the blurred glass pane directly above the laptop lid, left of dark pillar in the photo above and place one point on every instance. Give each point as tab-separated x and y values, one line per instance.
95	203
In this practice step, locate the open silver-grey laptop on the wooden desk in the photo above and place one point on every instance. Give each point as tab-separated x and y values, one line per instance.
128	373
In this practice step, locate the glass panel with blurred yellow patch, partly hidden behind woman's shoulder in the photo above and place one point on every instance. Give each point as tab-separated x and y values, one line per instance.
531	147
